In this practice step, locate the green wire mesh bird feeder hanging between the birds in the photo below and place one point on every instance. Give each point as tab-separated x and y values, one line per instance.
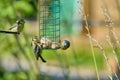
49	23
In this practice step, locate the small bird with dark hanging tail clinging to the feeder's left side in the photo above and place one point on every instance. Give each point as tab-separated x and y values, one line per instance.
37	47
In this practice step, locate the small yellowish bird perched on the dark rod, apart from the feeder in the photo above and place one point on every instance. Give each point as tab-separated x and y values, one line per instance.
18	26
